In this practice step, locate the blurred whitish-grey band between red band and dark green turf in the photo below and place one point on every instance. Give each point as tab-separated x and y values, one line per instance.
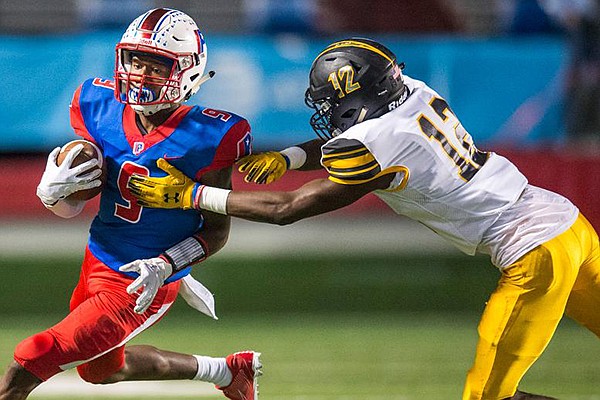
390	234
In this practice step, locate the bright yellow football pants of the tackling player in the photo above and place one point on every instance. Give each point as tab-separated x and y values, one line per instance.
561	276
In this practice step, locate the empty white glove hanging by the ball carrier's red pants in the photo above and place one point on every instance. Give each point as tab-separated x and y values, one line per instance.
153	273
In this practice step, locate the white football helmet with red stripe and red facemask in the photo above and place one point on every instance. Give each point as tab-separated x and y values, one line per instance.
168	35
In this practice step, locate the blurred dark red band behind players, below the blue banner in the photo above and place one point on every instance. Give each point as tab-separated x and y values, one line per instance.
566	172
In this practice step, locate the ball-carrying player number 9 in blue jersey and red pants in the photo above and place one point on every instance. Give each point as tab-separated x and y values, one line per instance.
136	119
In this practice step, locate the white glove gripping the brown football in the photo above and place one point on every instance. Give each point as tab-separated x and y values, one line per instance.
61	181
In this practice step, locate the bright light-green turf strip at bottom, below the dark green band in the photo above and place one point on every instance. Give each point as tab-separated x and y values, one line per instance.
360	356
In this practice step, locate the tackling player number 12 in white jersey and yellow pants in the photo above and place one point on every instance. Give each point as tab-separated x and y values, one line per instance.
394	136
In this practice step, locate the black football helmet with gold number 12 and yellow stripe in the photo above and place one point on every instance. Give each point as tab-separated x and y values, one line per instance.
351	81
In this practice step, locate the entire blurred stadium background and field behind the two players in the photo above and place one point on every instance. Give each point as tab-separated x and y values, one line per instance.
360	304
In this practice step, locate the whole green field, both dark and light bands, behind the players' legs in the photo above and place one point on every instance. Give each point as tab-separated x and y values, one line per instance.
386	327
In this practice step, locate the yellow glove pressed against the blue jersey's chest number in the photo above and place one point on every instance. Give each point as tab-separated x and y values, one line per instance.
172	191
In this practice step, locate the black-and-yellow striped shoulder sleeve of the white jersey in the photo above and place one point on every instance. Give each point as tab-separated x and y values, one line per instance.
349	162
